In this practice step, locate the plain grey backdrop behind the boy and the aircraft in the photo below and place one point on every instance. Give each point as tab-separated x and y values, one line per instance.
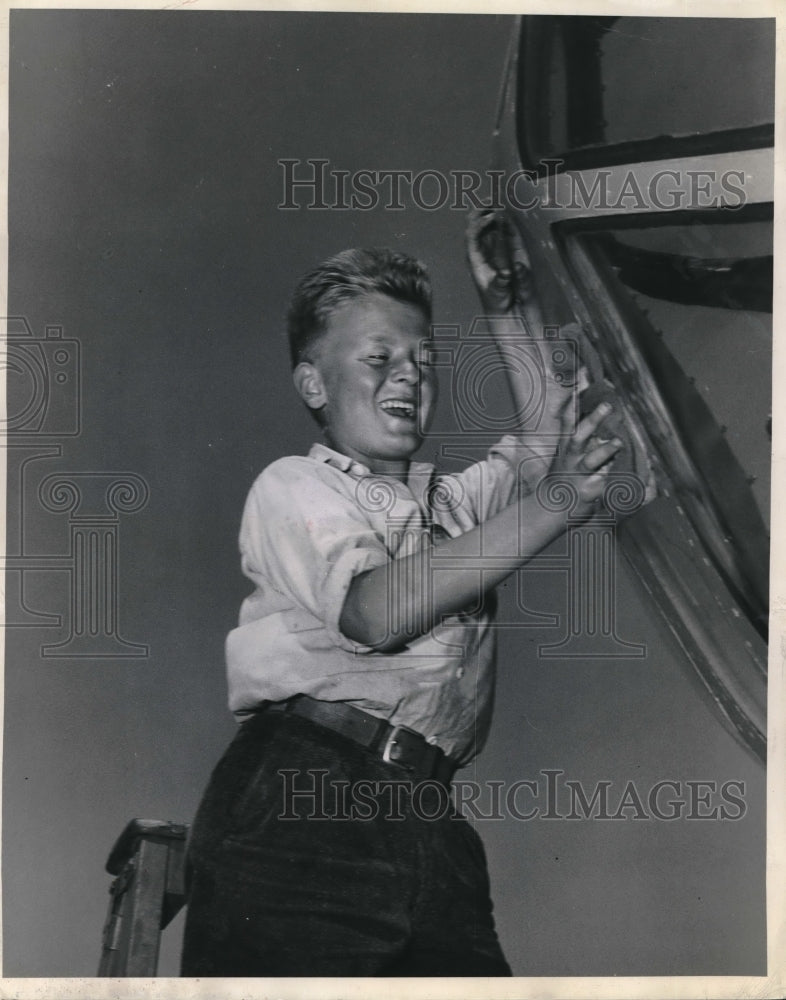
143	219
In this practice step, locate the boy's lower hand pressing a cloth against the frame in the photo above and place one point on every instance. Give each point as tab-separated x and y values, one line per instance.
586	458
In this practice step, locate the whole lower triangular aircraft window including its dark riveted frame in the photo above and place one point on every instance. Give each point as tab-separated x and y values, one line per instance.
684	324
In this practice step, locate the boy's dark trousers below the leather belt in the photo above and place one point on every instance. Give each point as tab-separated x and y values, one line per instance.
341	866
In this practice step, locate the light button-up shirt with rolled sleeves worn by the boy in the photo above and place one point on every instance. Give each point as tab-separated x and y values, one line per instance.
313	523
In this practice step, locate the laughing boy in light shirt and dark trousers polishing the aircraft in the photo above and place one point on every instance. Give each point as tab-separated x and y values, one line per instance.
326	844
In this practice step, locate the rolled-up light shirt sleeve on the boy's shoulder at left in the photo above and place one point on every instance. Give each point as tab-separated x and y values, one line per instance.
306	538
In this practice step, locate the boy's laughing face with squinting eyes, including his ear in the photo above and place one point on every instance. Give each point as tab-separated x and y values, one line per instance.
368	379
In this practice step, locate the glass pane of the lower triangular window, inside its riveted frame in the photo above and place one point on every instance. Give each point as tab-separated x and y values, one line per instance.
707	291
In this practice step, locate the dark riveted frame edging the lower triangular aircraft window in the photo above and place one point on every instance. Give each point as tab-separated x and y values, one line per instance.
727	520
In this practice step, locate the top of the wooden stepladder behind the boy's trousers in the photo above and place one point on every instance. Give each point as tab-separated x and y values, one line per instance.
148	862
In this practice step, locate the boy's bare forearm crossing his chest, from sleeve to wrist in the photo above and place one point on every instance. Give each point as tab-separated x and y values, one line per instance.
374	611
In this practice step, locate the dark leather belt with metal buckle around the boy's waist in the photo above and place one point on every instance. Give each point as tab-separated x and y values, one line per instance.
394	744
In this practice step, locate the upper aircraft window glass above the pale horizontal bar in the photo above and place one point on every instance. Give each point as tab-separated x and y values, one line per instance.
605	81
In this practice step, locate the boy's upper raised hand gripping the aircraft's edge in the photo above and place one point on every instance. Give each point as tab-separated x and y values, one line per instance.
498	261
